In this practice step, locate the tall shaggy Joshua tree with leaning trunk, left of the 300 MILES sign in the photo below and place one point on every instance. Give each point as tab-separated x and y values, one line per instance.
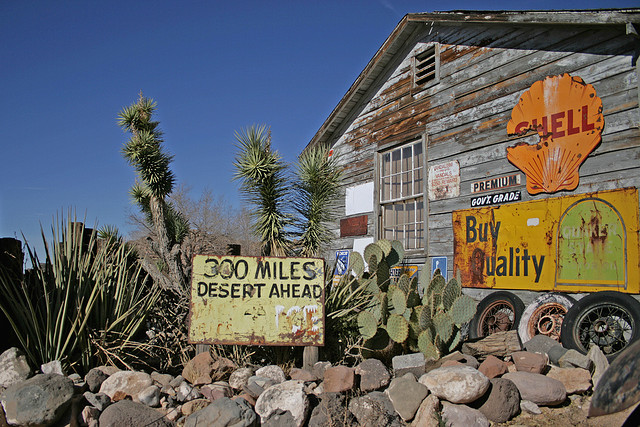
155	182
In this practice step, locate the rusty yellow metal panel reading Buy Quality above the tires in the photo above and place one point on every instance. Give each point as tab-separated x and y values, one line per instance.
581	243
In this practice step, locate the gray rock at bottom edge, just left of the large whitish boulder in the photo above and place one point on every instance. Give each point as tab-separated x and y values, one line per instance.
223	412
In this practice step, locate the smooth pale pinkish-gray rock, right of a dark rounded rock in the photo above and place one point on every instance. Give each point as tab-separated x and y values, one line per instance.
538	388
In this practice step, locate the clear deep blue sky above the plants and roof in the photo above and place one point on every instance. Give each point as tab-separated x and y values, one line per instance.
214	67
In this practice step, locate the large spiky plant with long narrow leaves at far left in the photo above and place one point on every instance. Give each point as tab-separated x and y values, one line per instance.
83	305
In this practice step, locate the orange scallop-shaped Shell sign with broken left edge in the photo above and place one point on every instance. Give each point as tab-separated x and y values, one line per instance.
567	116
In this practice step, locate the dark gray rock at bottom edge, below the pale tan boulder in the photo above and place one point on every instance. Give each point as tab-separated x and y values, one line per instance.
129	413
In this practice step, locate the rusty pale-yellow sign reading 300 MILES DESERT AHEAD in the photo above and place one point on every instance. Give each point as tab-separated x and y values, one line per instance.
257	301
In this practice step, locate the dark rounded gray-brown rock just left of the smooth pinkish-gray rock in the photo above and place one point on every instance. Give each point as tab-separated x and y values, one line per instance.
501	402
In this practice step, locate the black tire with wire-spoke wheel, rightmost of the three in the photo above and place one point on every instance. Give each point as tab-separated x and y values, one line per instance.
610	320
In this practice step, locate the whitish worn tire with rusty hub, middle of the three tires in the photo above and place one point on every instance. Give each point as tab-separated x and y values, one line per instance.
544	316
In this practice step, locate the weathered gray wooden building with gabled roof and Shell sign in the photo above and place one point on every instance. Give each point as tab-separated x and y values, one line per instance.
424	132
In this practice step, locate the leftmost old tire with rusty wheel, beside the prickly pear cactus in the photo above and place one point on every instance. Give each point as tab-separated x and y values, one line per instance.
498	312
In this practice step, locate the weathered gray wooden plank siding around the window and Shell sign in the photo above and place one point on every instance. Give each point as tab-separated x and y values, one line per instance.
483	72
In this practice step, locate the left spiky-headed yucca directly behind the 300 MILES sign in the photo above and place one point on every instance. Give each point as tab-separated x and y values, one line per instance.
261	171
